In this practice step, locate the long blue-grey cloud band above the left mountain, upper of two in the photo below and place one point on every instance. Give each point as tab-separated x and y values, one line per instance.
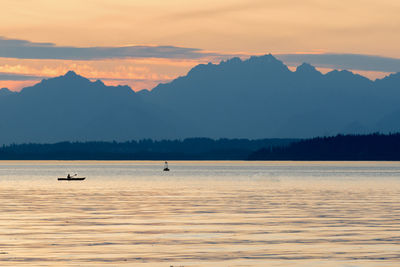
23	49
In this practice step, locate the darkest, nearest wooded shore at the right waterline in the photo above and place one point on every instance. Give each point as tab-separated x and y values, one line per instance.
341	147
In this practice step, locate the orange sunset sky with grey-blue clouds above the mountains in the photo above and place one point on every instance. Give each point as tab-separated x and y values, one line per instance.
144	42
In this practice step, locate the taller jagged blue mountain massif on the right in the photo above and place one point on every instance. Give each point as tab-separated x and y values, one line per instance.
261	97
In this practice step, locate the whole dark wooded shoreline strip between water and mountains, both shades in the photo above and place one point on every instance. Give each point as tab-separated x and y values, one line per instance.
371	147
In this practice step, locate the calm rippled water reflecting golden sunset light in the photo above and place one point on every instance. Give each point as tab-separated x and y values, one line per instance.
200	214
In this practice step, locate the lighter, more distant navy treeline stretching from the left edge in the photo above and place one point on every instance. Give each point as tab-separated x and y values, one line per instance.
187	149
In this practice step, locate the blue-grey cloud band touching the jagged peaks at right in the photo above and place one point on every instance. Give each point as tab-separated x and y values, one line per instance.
344	61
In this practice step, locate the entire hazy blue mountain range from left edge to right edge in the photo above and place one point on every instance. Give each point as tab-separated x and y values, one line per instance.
255	98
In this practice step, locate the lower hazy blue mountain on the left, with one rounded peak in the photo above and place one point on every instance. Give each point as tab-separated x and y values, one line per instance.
71	107
